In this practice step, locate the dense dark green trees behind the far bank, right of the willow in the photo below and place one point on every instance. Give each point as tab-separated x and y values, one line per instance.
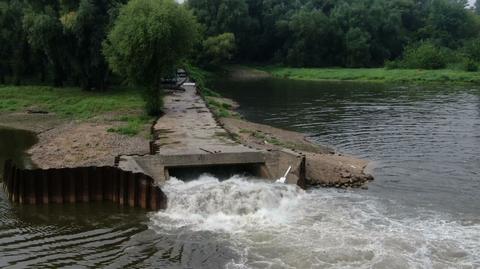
352	33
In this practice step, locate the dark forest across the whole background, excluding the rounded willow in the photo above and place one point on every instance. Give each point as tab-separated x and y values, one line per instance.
61	41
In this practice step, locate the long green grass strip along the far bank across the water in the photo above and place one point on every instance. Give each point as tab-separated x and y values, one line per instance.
375	74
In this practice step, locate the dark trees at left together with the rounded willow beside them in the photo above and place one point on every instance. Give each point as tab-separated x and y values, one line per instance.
83	43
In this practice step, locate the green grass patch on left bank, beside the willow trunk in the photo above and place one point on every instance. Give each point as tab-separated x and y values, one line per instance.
124	105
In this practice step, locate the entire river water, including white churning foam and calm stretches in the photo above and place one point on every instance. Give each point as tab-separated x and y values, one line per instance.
422	210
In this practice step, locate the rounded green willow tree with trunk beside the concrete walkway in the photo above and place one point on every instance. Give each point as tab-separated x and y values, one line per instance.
148	39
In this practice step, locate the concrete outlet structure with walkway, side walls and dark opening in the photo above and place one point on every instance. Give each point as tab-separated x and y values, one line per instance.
189	139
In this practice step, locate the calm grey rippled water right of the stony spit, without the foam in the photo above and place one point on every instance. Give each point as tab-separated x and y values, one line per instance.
425	141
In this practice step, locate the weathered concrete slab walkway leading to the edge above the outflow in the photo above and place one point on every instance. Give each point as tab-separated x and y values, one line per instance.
188	135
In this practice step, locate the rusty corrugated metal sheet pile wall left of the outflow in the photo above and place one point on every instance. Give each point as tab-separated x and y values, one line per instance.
81	185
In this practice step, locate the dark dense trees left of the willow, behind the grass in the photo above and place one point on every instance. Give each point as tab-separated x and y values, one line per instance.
57	41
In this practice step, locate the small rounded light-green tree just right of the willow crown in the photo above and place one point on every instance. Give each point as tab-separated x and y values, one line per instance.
219	49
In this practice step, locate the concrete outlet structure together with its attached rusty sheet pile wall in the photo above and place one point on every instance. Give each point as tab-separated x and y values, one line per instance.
188	141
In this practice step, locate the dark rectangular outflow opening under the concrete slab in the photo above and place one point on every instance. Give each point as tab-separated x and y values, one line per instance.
222	172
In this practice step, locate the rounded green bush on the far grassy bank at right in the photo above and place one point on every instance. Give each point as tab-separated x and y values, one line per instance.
426	55
